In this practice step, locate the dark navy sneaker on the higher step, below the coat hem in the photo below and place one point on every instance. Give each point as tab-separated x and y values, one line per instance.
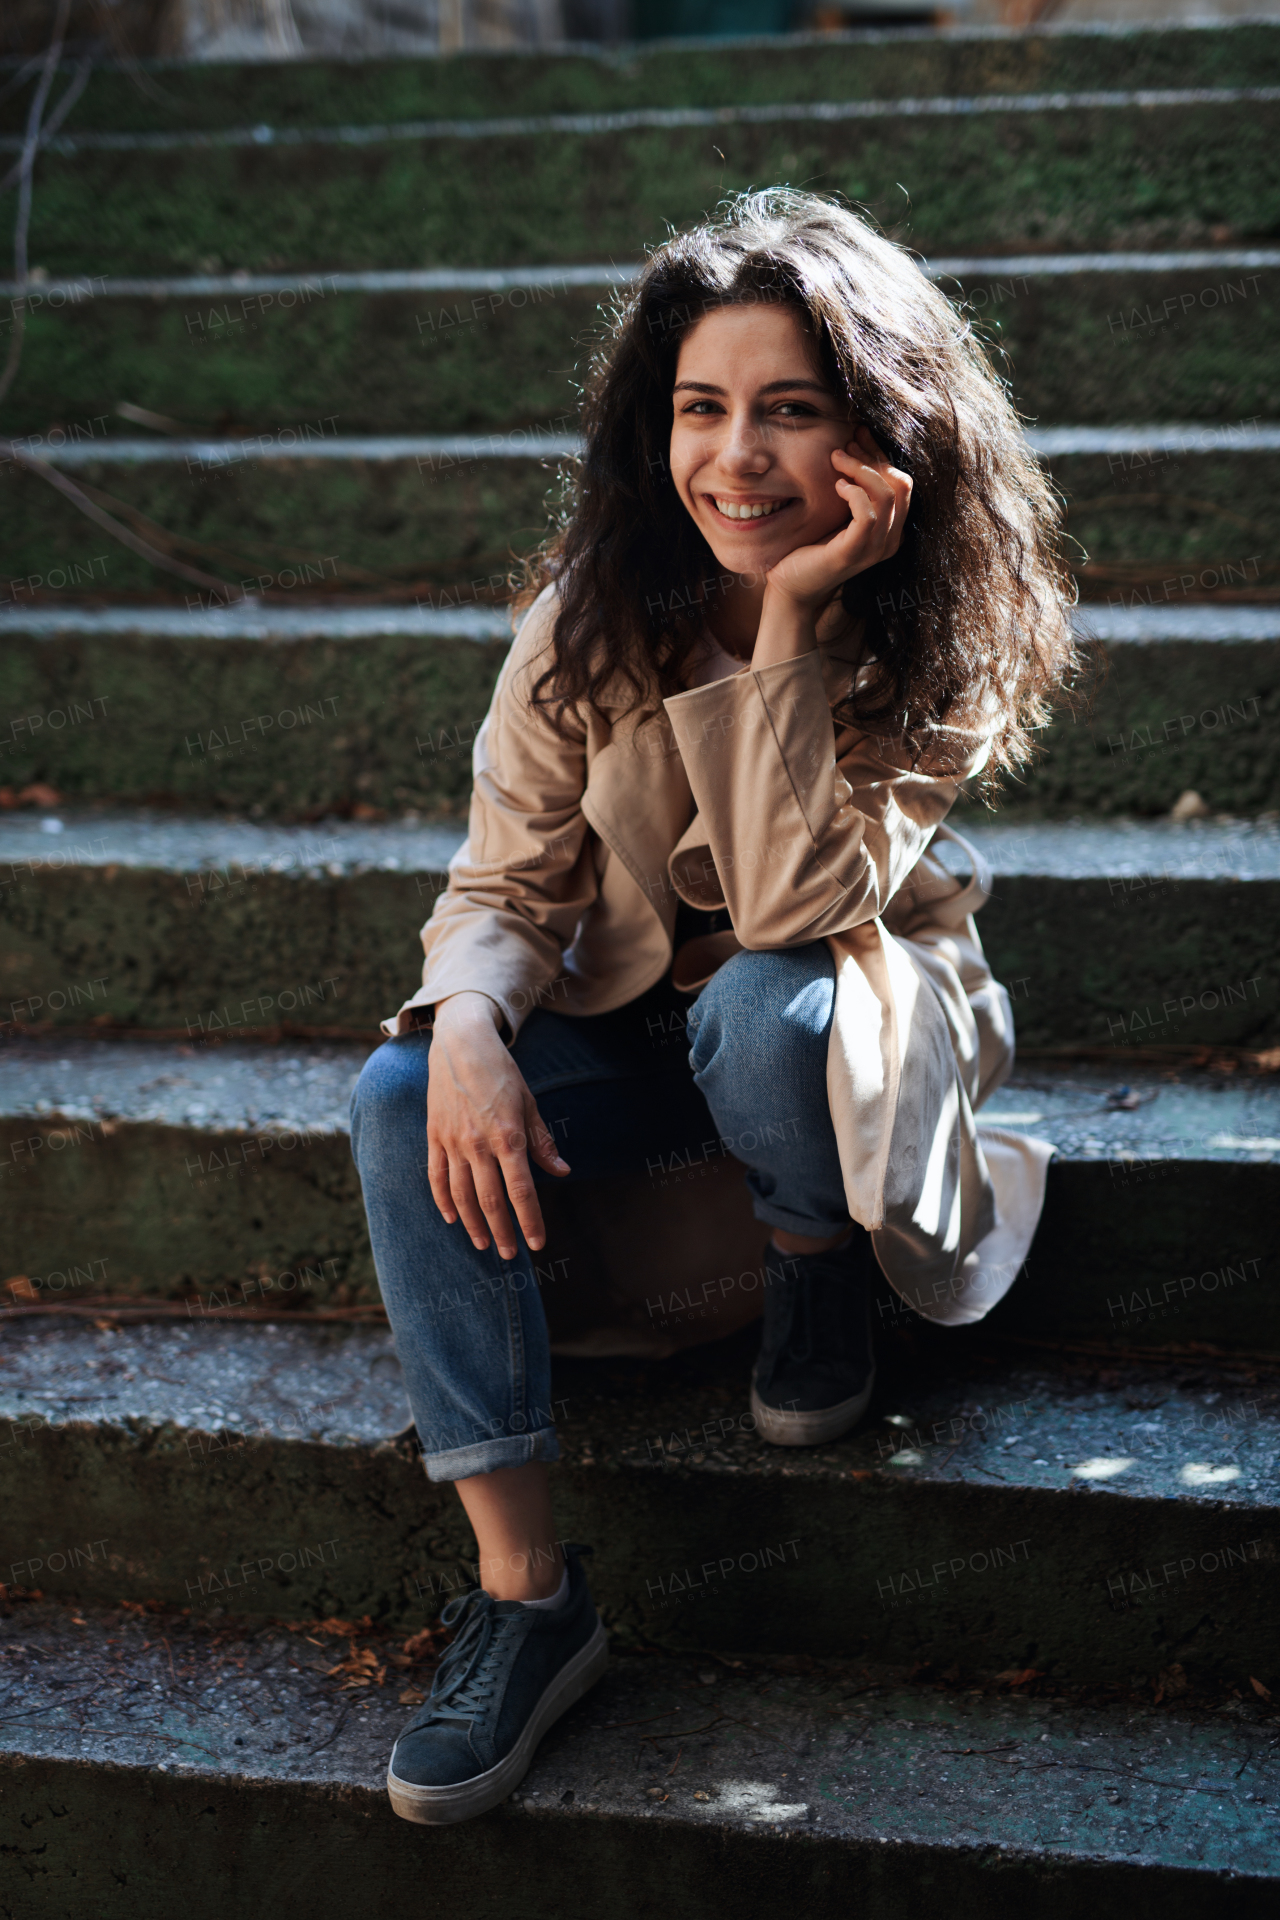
817	1368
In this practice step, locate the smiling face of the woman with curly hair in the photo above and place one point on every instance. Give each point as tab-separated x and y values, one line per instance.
753	435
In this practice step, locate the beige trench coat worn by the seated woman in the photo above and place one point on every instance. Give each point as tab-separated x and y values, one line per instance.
746	796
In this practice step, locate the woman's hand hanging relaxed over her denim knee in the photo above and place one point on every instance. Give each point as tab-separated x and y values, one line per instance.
481	1128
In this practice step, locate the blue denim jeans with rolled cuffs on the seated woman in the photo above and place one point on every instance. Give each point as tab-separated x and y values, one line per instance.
652	1088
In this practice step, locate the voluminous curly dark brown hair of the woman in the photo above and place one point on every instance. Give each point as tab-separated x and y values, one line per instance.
968	625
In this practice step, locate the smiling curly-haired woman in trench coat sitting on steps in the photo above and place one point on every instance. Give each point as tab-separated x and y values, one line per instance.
807	585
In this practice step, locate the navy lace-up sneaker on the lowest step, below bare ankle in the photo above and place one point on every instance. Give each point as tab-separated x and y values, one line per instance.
506	1679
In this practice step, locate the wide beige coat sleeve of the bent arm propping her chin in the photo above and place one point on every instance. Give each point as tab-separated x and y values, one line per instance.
805	834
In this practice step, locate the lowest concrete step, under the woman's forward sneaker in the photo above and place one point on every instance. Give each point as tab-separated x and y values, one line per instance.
237	1767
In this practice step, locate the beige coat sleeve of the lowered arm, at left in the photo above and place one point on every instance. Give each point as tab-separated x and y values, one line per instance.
525	876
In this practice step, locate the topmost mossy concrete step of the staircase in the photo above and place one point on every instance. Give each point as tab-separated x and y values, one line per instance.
724	72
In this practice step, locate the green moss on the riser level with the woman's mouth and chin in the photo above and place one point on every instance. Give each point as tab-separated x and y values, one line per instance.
379	525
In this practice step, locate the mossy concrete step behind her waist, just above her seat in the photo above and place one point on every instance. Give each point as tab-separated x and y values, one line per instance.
1110	936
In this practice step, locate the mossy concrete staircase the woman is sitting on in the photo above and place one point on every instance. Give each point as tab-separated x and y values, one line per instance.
1014	1641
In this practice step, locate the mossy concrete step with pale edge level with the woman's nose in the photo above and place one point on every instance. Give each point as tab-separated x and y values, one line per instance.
446	519
